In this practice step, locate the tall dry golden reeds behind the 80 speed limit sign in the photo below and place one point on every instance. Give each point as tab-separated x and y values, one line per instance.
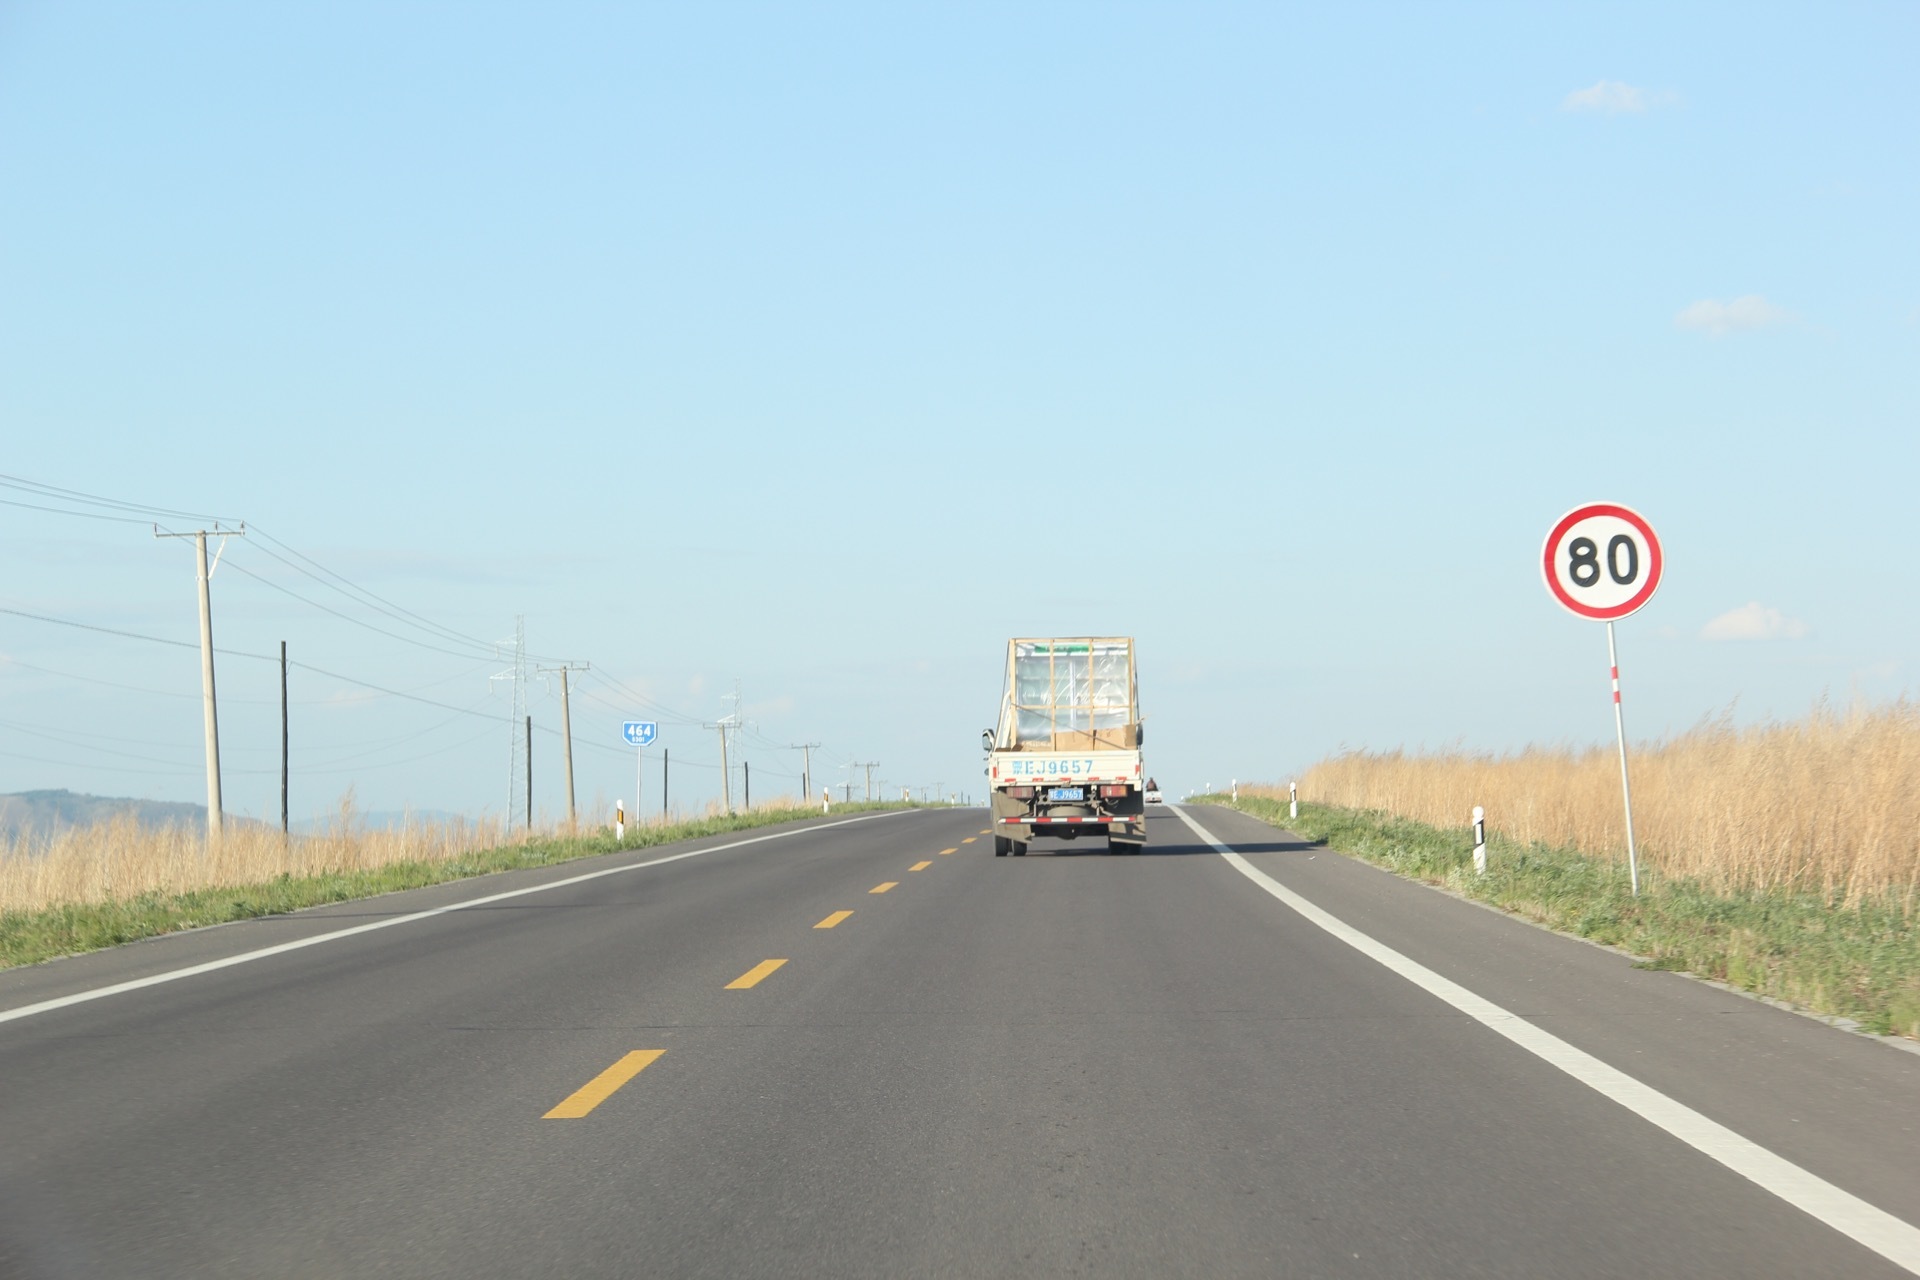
1827	805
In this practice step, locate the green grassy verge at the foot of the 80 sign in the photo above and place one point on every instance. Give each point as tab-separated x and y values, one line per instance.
1860	962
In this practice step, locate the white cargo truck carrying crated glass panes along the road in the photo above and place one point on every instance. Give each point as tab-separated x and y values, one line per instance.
1067	757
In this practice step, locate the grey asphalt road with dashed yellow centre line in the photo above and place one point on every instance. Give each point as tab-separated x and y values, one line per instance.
1065	1064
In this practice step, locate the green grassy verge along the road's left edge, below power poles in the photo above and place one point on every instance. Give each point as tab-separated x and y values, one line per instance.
30	937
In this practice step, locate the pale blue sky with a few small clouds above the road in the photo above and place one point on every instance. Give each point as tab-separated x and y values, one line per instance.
825	348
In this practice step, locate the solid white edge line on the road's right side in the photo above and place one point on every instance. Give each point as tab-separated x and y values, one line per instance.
1877	1229
